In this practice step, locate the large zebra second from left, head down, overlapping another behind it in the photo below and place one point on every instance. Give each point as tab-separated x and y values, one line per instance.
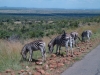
61	40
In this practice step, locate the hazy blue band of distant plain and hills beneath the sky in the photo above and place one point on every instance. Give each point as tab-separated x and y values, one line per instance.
46	10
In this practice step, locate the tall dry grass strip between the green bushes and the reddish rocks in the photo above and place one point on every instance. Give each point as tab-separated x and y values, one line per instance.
10	51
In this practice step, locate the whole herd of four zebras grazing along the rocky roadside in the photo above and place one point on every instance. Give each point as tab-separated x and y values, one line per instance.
65	39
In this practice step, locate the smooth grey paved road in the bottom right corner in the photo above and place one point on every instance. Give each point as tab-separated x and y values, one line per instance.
89	65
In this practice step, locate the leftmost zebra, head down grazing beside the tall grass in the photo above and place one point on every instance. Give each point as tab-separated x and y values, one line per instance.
34	46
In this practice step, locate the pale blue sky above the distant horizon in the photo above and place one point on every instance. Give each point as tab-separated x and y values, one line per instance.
65	4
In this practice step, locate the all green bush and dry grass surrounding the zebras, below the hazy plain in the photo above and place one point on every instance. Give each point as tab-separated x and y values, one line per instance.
26	28
